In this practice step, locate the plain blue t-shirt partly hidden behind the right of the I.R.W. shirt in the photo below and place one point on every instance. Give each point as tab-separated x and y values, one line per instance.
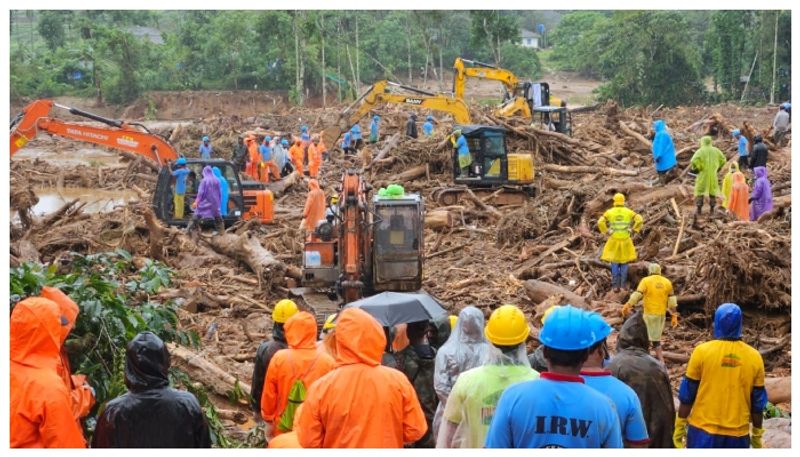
629	409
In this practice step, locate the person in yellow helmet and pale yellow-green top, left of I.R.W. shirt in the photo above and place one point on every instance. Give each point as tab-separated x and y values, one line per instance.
474	397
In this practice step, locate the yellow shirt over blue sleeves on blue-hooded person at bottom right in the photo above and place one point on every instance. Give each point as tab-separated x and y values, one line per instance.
727	372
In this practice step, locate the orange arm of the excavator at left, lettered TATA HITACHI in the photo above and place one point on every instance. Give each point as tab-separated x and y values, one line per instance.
119	135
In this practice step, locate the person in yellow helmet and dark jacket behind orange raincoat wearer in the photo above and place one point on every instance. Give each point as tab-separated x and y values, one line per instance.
281	313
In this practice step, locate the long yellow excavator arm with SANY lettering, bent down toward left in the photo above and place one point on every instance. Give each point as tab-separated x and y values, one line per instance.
383	92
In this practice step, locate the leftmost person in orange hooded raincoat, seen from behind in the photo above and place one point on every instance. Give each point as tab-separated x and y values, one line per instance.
41	407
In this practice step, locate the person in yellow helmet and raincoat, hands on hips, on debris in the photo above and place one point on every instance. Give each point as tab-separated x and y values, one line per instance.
619	249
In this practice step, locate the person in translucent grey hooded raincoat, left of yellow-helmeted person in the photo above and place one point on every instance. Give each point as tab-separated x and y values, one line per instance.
466	348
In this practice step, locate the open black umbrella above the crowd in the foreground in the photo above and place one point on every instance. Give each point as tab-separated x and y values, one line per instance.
392	308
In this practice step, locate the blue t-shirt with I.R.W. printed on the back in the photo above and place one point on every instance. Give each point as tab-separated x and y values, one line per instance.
554	411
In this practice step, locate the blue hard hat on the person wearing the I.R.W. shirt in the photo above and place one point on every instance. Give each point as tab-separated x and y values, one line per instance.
568	329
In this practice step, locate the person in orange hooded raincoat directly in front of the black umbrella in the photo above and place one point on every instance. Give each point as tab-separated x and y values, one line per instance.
360	404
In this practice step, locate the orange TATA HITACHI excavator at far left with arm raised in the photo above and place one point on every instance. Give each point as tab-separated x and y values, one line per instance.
247	199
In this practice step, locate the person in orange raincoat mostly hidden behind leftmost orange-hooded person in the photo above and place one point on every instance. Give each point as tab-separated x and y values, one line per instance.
80	391
